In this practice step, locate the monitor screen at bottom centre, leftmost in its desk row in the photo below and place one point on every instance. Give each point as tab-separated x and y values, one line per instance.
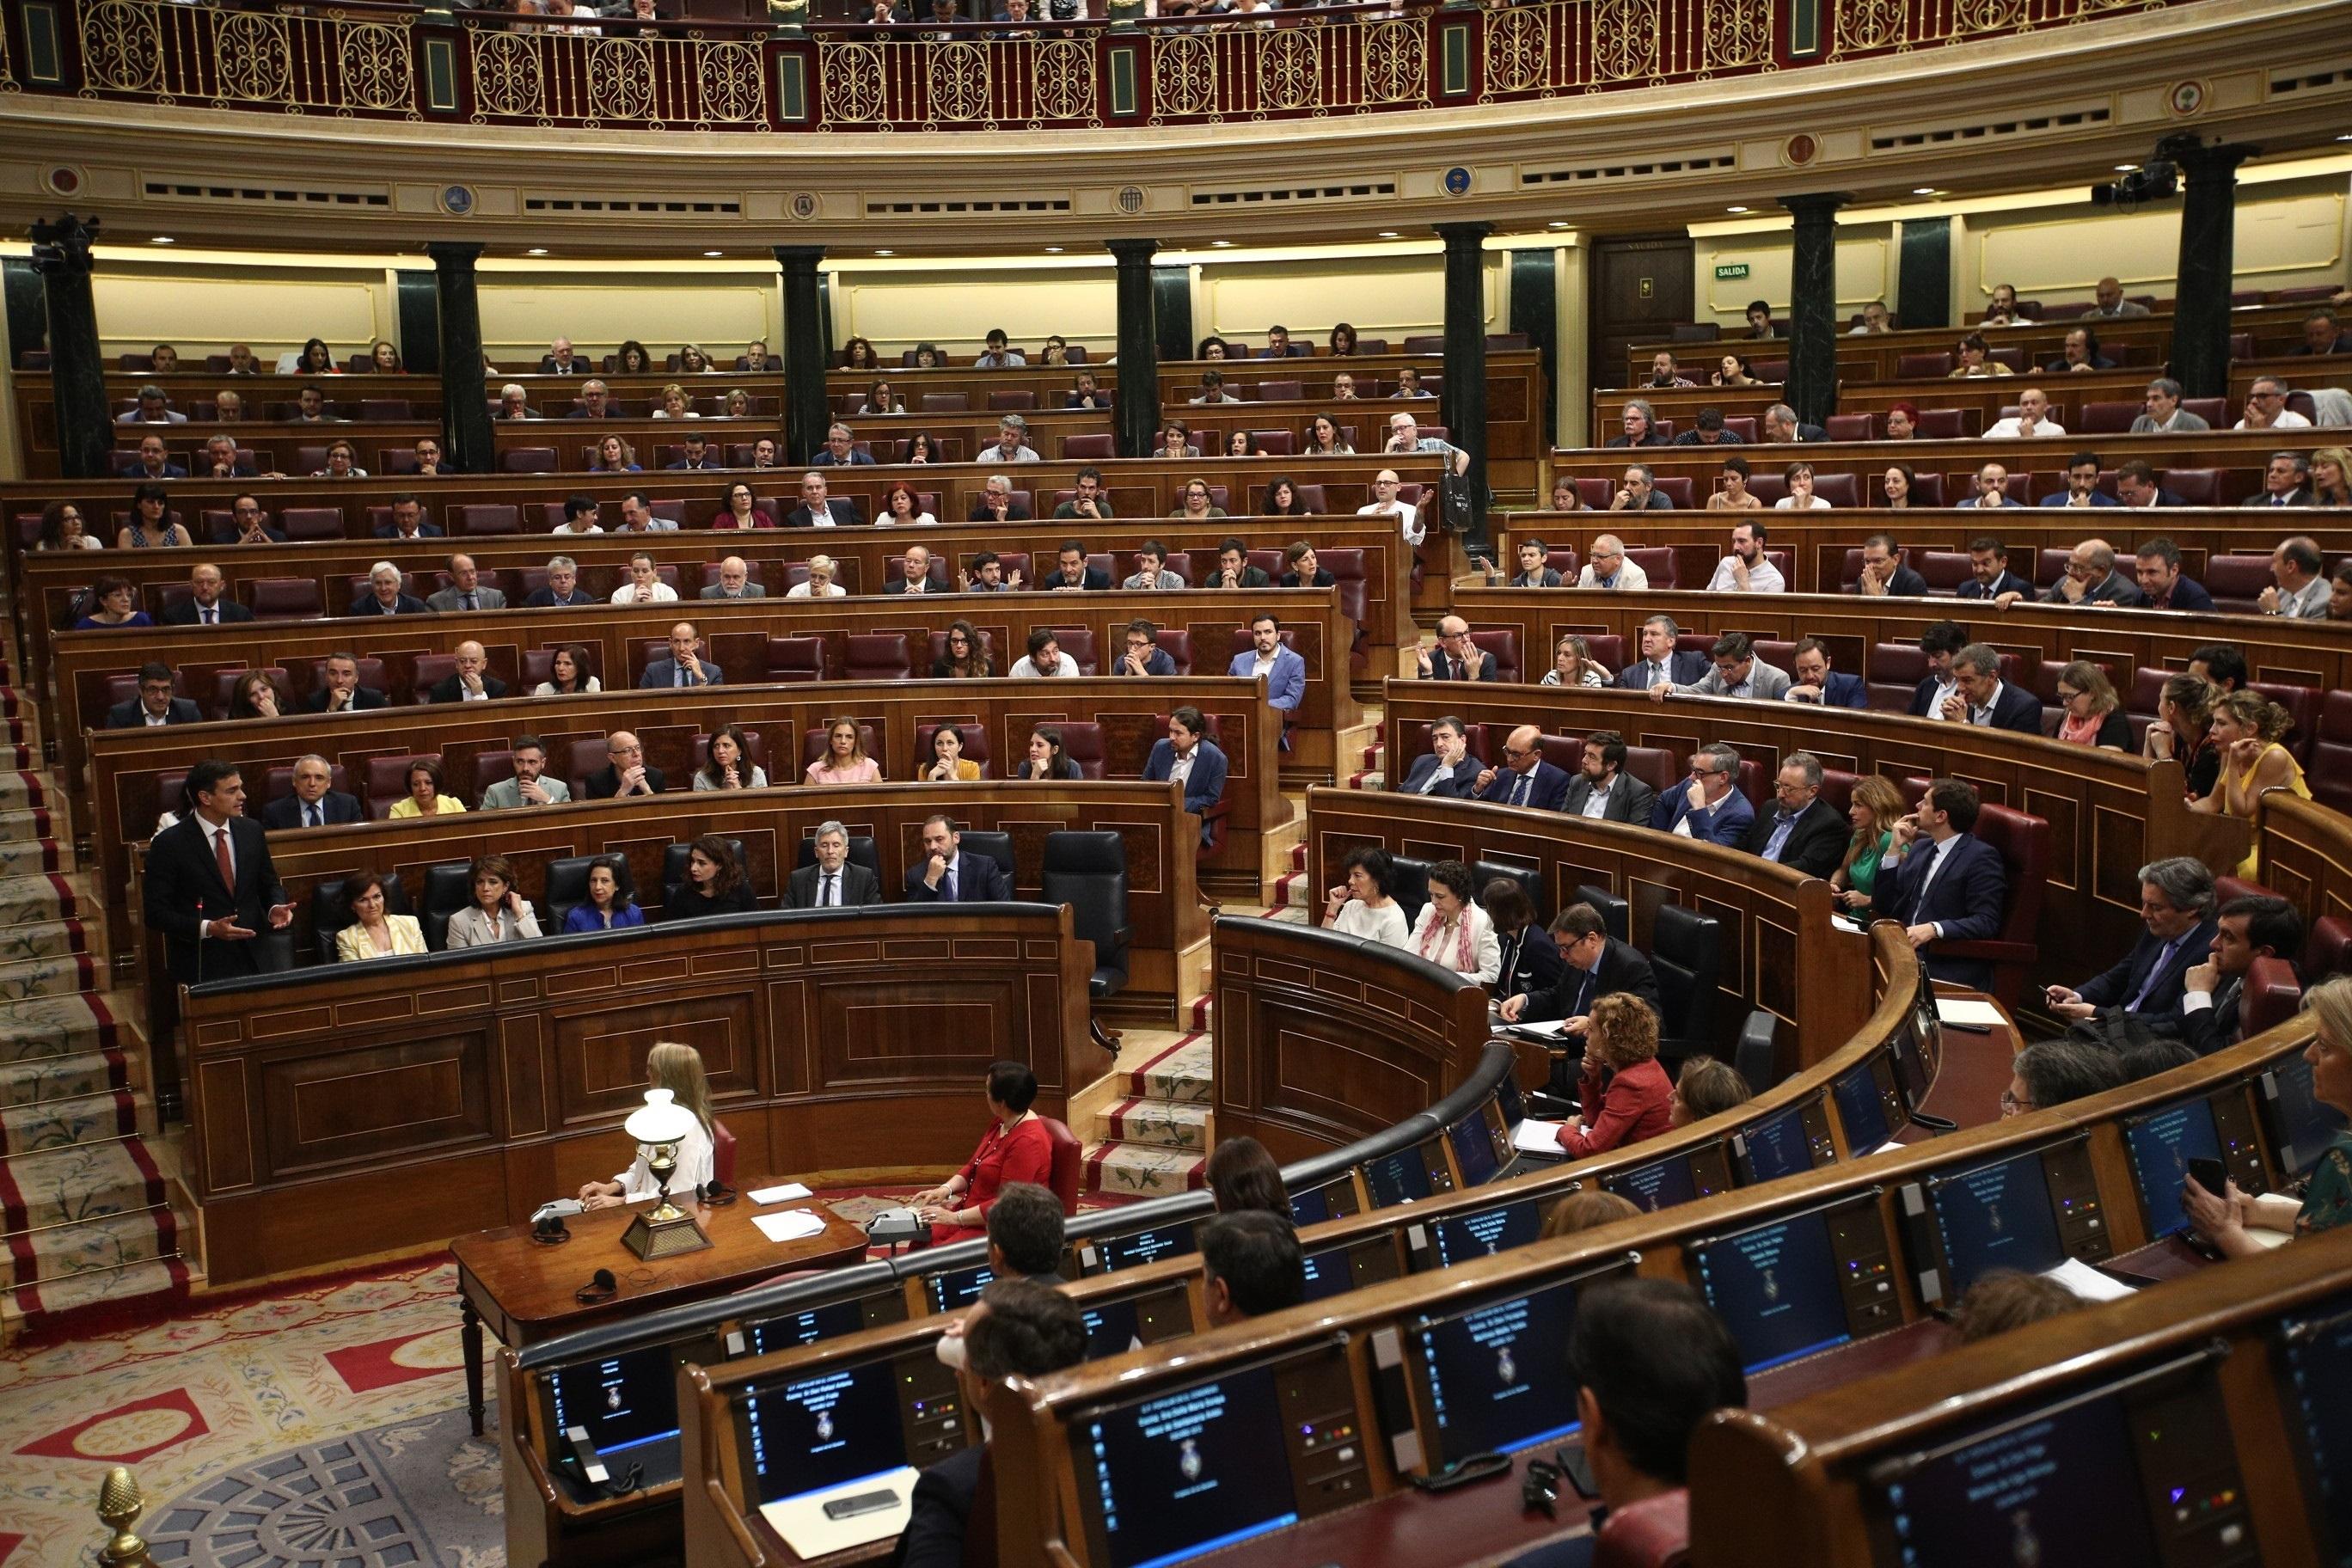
1187	1473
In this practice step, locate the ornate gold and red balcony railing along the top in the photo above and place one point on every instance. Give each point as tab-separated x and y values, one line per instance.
394	62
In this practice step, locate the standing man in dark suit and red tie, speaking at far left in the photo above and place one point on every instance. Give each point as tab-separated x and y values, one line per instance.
211	885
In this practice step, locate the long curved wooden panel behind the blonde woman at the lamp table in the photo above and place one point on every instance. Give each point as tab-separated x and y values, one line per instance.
519	1066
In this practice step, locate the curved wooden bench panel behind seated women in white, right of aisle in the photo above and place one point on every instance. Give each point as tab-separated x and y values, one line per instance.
1779	949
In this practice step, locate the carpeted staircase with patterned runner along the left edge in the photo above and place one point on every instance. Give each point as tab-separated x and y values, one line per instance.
86	1221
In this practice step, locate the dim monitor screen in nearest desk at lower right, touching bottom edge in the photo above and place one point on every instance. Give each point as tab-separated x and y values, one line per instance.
2059	1487
